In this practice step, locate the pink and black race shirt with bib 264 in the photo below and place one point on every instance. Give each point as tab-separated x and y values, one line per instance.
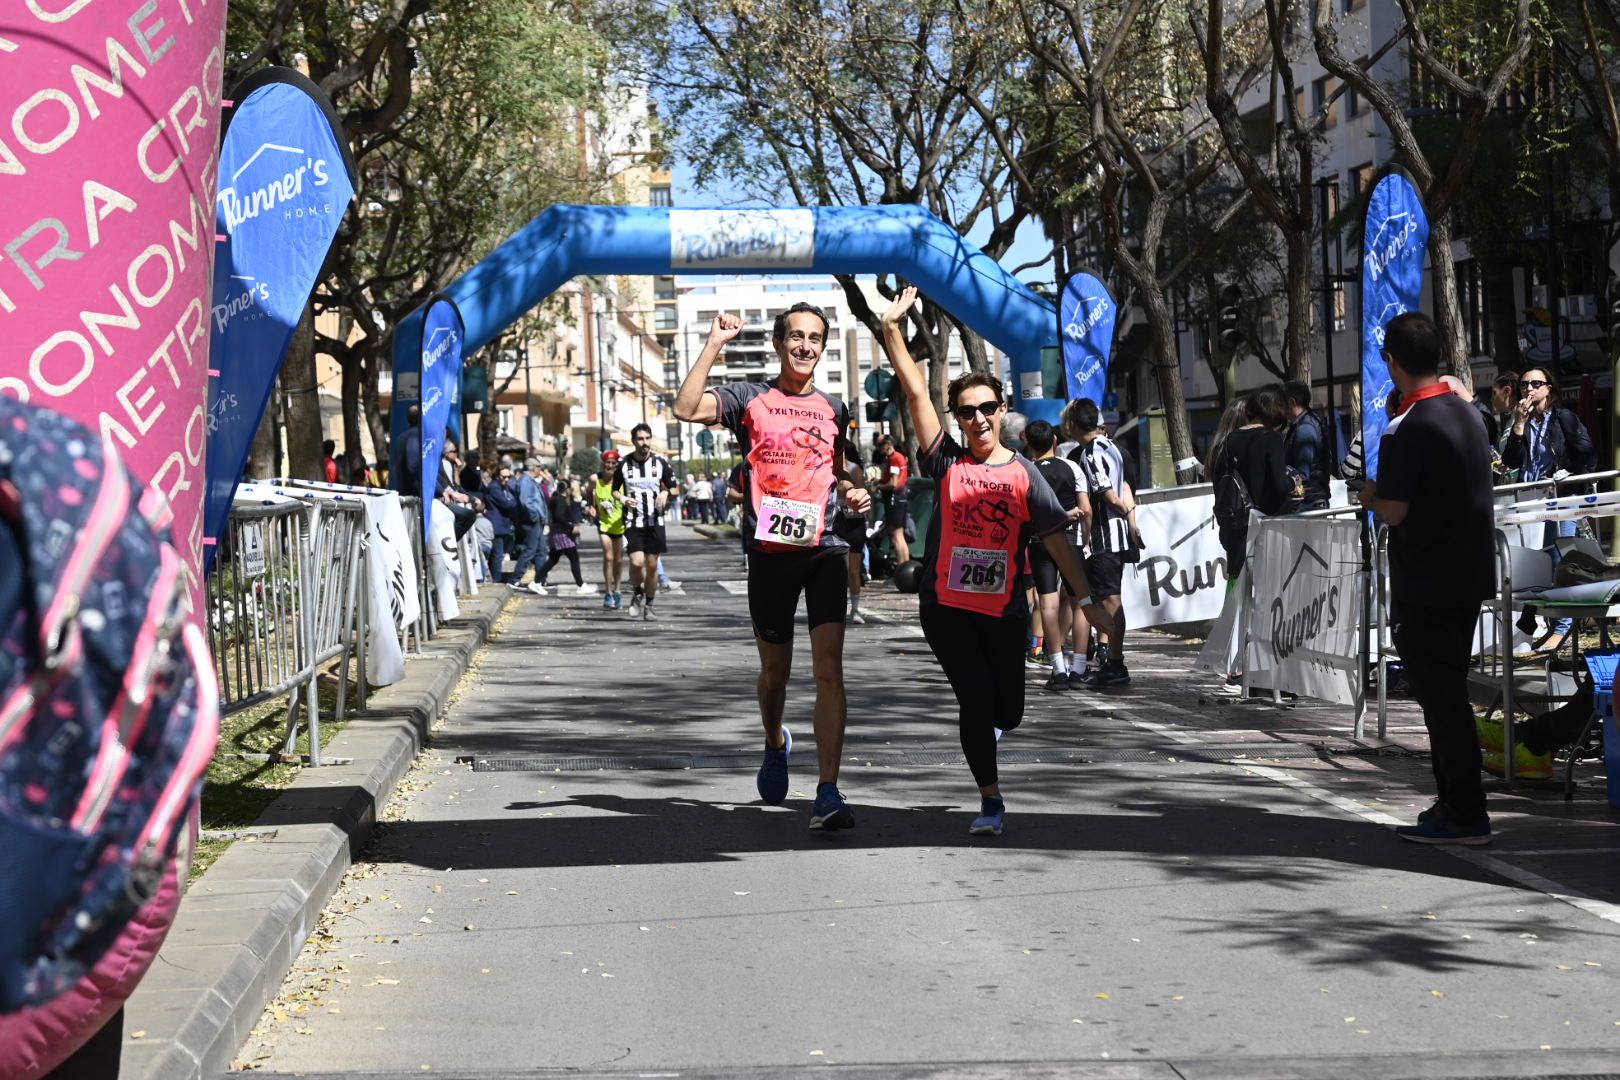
984	521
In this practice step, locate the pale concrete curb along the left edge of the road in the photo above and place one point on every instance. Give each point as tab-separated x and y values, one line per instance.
242	924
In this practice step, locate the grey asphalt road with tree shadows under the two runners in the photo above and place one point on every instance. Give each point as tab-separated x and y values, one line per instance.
581	877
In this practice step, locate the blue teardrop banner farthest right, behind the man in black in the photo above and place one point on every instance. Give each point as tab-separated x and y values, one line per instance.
1396	239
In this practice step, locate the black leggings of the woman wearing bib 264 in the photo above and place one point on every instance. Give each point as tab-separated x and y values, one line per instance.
984	660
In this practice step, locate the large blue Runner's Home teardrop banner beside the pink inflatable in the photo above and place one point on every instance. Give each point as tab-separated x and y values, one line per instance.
286	182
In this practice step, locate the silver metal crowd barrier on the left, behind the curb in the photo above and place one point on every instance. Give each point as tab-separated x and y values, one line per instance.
284	600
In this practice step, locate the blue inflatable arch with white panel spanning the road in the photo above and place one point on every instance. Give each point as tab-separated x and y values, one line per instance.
905	240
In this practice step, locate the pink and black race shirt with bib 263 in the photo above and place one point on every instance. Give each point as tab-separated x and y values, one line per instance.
790	443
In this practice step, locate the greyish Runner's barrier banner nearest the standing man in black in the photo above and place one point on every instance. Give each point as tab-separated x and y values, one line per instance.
1307	606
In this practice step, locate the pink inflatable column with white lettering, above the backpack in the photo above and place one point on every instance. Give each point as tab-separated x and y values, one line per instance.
109	148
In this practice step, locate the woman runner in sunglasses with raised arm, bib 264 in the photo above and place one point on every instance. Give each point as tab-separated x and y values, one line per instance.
989	504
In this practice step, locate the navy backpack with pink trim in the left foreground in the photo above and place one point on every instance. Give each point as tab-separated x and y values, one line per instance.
109	708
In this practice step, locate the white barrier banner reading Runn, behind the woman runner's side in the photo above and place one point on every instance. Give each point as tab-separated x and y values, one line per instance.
1183	572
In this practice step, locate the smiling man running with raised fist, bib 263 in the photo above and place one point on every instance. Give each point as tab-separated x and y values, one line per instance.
793	440
